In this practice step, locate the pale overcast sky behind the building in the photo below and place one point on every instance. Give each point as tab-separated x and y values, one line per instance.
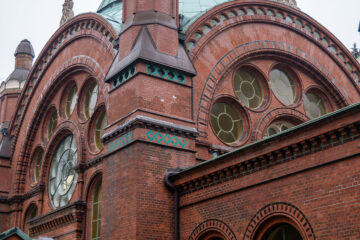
37	20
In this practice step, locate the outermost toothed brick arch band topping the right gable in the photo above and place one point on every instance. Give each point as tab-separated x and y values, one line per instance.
242	12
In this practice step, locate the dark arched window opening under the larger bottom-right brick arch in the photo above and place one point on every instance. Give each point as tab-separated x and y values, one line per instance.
282	232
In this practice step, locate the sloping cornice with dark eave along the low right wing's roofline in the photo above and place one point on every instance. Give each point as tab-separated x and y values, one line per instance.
327	140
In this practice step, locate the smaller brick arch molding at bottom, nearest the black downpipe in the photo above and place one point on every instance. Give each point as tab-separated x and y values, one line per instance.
213	225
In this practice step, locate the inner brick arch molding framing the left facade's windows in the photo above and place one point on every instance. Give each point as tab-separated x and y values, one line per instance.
36	116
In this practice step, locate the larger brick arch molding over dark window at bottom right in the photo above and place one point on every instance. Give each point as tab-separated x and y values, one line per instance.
279	209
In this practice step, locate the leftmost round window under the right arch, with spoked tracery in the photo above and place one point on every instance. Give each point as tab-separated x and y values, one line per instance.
226	122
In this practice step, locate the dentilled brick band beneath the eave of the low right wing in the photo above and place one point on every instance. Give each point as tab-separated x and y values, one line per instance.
289	153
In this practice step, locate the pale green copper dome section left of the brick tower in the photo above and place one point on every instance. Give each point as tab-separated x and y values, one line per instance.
111	10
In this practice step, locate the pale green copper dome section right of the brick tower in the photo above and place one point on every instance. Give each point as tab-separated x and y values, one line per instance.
193	9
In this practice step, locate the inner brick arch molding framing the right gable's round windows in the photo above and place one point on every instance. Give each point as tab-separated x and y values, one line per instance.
258	48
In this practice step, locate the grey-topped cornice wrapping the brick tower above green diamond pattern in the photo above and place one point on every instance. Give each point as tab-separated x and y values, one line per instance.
149	122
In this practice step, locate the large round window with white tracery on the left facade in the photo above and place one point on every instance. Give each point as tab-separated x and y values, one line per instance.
63	177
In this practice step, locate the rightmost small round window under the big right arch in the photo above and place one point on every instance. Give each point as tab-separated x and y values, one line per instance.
314	106
